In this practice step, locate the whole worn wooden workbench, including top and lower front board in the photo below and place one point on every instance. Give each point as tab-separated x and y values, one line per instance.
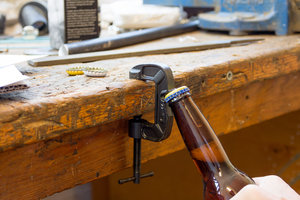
65	131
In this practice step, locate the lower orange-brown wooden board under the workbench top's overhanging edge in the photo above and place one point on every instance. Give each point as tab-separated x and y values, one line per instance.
37	170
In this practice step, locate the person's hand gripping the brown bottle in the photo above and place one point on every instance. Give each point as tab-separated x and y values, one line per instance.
267	188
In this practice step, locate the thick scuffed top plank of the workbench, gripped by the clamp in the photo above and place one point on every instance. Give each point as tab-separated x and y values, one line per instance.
50	109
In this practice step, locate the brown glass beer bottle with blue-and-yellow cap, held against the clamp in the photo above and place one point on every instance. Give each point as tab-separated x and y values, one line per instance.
221	179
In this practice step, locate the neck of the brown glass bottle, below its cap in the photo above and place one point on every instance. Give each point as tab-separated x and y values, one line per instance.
200	139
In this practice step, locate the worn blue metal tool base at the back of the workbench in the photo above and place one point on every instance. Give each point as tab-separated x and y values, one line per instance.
243	16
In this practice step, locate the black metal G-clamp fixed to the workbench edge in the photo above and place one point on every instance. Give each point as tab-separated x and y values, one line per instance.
140	128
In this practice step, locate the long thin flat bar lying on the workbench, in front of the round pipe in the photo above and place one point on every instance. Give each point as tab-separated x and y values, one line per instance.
104	55
